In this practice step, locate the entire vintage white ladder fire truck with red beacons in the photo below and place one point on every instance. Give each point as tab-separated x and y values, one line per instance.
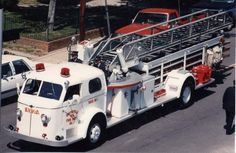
121	77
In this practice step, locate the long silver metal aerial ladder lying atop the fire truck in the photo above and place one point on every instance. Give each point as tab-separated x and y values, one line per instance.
156	53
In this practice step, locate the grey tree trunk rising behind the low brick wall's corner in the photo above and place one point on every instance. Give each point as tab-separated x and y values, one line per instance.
51	14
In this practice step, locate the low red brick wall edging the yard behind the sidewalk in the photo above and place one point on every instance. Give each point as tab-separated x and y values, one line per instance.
60	43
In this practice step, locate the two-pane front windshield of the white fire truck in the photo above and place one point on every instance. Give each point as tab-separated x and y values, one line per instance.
47	90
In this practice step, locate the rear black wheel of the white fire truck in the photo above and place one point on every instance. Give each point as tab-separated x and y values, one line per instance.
186	95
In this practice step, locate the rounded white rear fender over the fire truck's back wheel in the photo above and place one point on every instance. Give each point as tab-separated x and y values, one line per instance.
175	81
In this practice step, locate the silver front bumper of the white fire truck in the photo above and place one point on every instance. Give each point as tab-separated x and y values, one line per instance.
12	132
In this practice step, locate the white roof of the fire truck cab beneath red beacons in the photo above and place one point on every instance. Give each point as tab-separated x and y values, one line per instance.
78	73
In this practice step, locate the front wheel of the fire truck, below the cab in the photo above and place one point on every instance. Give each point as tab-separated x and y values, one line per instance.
95	132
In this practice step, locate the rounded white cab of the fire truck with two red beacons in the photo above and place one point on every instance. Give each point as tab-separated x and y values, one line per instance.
56	103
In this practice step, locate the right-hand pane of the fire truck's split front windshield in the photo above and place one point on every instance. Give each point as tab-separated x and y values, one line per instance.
50	90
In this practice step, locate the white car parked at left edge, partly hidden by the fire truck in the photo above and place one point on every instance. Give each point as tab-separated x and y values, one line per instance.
14	70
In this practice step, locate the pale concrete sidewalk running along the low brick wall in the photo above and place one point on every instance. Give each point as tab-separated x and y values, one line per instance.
54	57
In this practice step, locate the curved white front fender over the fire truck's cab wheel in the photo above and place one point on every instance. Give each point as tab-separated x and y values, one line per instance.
86	119
